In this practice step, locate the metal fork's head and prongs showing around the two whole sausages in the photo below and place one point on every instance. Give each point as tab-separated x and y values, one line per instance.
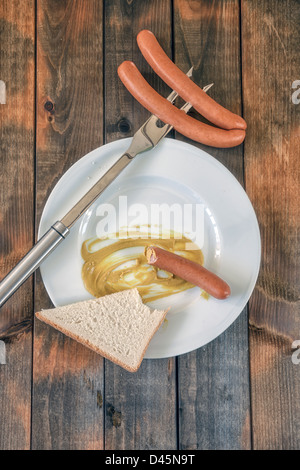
153	130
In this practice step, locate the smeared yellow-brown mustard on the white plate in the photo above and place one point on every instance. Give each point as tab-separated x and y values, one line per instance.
112	265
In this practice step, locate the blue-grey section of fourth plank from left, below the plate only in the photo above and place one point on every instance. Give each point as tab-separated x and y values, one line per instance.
214	411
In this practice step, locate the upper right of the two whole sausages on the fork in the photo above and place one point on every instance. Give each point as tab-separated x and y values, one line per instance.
184	86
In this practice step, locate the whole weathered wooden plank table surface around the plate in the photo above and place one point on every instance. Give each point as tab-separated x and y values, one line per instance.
58	62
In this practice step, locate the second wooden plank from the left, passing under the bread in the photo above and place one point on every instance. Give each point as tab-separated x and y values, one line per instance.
67	378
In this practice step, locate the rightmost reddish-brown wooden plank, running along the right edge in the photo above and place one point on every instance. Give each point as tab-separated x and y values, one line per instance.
270	51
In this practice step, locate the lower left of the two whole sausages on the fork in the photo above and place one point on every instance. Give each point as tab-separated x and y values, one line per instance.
170	114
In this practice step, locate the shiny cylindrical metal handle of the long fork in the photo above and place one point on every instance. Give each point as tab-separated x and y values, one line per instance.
32	260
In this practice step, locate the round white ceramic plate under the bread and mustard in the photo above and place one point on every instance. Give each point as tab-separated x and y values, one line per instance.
173	173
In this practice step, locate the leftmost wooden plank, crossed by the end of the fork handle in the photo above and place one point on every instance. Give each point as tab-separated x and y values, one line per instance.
17	64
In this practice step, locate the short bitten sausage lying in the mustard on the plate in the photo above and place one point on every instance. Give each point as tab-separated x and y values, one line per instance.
188	270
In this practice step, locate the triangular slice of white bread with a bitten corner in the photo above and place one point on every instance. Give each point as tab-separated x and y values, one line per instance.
117	326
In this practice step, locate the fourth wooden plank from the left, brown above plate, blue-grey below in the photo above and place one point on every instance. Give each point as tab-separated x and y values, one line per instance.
214	400
